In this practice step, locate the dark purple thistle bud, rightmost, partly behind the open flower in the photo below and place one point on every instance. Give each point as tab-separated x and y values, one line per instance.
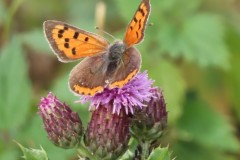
150	122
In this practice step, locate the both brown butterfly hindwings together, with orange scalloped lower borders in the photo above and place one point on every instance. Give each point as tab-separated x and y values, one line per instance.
93	74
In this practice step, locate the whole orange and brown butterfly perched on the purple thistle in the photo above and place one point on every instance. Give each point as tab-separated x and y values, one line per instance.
104	64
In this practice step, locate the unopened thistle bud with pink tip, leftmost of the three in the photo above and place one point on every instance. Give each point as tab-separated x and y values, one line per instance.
63	126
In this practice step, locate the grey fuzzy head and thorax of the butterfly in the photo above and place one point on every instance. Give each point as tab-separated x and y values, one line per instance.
116	50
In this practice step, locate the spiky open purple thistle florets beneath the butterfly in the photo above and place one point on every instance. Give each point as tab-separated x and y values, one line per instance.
133	95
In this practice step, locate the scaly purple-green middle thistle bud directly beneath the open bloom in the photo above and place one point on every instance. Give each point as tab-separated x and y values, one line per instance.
107	134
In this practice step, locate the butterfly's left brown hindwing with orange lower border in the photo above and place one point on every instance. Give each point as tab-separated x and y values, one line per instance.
88	77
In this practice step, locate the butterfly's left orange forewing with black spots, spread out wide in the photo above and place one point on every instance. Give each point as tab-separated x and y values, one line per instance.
71	43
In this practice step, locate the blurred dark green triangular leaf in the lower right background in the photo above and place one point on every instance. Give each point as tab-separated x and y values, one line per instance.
203	125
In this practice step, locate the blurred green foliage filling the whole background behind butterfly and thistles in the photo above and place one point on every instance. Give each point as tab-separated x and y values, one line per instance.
192	51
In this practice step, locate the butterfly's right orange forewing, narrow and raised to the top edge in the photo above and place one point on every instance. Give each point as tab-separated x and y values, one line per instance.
136	27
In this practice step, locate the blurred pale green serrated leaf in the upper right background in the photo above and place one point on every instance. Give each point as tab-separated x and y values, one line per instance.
200	38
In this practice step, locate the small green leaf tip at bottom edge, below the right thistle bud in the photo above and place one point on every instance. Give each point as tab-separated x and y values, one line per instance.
160	154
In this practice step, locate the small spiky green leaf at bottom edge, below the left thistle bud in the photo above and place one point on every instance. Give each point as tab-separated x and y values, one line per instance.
33	154
